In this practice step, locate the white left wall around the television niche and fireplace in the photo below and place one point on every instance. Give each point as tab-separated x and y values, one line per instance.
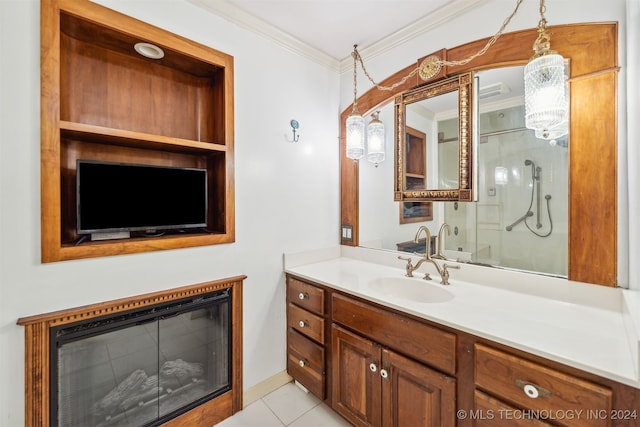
287	195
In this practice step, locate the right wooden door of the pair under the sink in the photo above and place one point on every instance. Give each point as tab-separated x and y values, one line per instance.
414	395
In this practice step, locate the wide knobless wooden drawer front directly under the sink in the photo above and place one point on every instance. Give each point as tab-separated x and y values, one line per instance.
414	339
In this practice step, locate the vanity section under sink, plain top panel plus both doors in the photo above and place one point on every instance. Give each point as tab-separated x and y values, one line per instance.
374	384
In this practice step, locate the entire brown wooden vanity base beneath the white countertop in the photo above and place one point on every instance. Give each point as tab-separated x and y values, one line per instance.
388	368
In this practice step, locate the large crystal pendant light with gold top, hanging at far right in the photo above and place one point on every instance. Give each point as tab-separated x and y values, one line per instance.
546	105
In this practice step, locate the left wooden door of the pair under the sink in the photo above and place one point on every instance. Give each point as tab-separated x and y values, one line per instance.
356	378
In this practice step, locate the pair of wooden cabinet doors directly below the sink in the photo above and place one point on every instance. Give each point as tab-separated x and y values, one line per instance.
375	386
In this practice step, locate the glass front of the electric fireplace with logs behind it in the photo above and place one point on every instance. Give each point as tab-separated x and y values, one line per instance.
156	365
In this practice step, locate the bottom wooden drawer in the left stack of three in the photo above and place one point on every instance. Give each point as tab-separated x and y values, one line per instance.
305	362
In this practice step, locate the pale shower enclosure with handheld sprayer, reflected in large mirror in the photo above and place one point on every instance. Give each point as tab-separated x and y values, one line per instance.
520	219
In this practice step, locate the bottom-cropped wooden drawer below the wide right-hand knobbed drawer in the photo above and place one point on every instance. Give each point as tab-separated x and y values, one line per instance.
492	412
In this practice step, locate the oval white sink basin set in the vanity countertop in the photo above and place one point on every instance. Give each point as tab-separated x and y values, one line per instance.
416	290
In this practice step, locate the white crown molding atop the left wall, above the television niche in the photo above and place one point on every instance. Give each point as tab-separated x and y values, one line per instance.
243	19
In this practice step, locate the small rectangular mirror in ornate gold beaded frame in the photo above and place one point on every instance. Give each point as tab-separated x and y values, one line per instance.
441	111
